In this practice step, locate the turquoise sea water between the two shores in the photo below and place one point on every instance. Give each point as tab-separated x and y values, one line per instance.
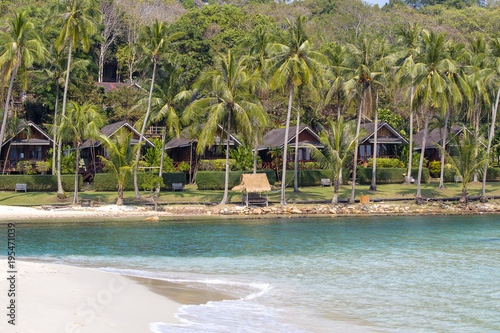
383	274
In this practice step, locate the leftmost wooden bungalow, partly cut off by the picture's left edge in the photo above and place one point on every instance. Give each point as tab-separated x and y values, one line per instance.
23	147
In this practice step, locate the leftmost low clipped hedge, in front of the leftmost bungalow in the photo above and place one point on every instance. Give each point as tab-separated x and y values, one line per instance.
46	183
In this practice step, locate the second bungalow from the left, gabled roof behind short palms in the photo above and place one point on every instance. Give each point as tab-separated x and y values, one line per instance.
91	149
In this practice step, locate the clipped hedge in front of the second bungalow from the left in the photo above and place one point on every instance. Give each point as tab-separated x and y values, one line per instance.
107	181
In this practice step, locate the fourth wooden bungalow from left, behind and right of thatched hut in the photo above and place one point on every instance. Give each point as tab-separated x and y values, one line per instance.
276	138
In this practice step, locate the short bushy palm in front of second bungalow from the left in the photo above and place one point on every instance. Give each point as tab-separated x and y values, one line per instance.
121	158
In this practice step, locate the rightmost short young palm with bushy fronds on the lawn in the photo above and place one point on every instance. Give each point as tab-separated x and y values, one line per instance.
466	159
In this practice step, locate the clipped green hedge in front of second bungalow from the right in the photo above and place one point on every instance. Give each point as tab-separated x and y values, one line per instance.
388	175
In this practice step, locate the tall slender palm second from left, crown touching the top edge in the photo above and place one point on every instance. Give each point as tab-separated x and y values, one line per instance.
78	23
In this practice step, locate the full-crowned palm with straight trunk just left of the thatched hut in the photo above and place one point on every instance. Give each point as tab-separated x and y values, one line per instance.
229	101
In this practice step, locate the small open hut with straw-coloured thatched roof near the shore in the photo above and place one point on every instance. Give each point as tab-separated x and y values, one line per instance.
254	188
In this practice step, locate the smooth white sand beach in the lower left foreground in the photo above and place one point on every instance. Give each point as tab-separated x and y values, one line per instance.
58	298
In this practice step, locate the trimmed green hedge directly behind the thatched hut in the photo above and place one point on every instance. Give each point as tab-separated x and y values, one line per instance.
214	180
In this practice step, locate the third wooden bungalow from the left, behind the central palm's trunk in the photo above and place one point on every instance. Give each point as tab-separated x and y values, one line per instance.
179	149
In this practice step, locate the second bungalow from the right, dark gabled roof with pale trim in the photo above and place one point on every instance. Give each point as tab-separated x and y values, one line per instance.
389	142
